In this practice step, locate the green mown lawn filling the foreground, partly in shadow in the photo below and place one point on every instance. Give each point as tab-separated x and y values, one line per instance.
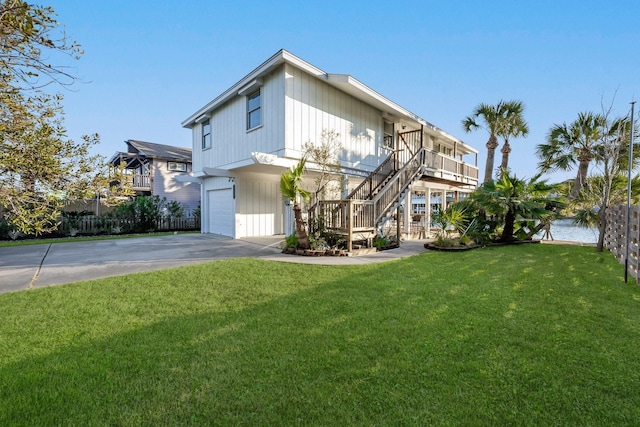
525	335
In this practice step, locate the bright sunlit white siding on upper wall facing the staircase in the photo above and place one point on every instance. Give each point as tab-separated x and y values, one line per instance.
312	106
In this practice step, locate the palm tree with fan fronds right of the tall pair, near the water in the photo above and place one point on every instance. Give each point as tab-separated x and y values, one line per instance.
571	144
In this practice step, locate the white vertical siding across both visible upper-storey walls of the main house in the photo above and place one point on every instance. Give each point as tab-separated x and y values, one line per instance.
296	108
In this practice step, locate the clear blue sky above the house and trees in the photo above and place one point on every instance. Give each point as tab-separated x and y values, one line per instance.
150	64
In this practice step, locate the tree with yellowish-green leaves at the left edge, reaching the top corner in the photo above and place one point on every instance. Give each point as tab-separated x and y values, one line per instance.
40	167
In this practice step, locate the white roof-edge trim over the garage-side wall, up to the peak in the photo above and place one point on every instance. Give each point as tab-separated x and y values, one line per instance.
280	57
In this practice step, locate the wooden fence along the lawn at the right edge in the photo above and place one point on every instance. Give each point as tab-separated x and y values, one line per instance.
615	238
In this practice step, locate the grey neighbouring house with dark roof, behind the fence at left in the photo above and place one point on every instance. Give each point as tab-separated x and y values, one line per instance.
160	170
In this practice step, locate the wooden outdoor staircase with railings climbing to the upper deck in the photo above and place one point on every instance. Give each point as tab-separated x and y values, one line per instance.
364	212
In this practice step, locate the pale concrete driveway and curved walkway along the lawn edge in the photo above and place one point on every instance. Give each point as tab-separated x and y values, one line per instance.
35	266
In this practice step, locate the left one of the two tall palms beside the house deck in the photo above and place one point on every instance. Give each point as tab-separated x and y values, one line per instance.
493	121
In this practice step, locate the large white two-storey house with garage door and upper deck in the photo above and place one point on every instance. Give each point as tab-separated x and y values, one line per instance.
246	137
